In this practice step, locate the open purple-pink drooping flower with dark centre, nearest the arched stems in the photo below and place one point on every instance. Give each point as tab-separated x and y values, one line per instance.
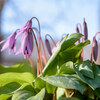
26	45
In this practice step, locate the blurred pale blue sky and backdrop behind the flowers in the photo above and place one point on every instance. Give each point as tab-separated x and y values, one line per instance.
56	18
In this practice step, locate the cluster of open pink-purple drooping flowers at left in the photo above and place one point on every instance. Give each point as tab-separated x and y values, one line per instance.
26	41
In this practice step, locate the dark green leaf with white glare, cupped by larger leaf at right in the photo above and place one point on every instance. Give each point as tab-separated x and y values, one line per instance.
86	69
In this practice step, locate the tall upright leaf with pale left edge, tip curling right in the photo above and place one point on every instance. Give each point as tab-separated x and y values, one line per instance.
51	66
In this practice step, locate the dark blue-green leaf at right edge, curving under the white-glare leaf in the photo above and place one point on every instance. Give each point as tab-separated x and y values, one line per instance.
93	83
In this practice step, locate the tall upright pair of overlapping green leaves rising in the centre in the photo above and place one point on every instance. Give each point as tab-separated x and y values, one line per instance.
66	48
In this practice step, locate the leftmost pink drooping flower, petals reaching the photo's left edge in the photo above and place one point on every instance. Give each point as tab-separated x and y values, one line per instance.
10	43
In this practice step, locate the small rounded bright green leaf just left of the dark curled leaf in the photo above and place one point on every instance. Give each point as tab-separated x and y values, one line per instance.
67	68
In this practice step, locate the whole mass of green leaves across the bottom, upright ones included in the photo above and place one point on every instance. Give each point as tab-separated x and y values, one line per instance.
62	71
